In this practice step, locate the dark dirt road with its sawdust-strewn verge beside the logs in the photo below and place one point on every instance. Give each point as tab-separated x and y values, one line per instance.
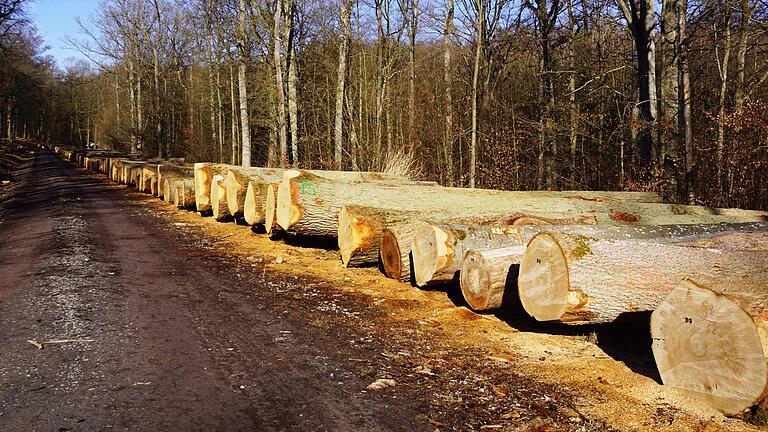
188	324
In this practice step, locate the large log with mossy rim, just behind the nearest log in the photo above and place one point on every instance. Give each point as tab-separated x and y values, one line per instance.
579	279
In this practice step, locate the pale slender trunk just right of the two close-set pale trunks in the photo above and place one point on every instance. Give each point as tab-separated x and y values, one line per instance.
345	10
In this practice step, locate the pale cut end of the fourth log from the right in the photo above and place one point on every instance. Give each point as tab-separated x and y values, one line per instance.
431	252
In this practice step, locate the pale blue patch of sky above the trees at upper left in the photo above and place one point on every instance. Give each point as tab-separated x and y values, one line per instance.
55	19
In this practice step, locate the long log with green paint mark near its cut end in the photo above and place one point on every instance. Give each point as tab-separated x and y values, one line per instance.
309	206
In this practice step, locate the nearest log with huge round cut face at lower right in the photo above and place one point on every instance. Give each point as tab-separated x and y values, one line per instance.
710	342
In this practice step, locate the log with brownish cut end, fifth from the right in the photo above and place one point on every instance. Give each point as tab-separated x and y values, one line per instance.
395	251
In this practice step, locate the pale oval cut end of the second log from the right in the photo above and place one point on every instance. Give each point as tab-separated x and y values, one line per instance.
543	284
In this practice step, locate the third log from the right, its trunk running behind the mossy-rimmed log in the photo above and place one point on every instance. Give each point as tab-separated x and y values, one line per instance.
485	275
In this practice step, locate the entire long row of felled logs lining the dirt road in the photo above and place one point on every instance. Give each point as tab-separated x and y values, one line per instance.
571	257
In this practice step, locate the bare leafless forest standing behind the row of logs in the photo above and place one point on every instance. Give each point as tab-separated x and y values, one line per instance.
634	95
